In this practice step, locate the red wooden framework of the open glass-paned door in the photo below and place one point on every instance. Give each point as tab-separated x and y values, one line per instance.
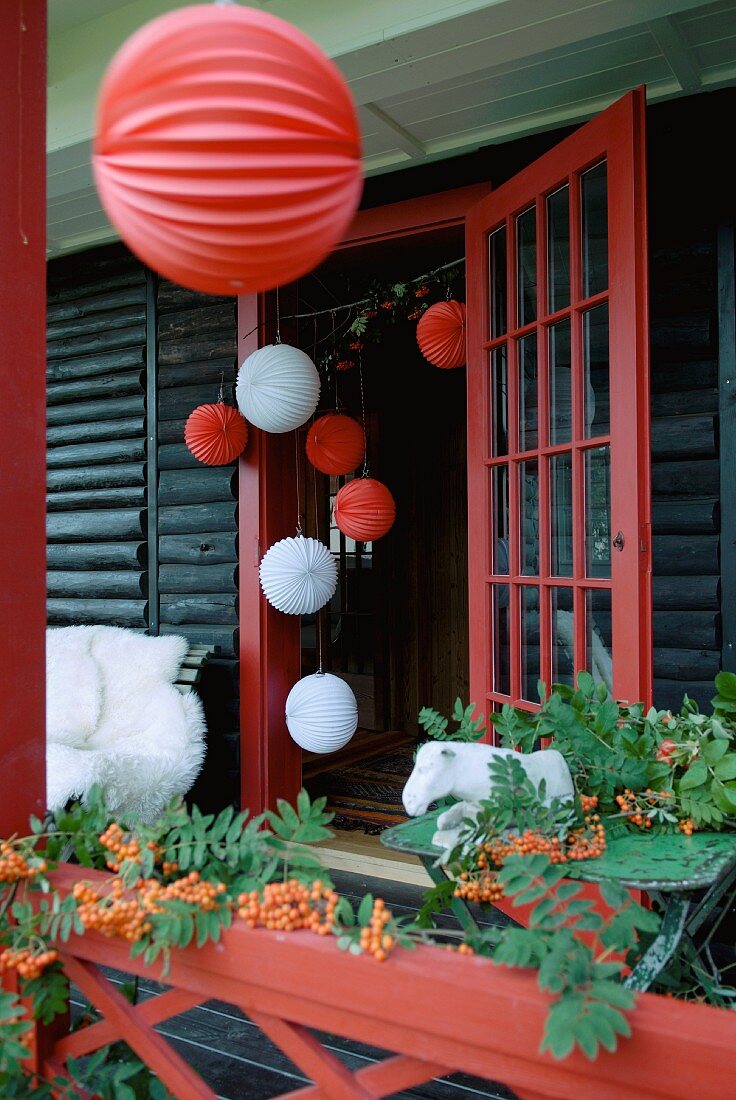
619	135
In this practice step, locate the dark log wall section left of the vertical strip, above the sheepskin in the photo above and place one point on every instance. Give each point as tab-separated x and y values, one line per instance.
96	438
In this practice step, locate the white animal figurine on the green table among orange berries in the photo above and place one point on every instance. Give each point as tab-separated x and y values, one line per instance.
460	771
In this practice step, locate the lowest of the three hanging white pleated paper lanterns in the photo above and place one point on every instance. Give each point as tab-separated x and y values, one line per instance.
322	713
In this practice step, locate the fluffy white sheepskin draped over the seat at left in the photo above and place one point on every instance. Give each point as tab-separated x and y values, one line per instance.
147	744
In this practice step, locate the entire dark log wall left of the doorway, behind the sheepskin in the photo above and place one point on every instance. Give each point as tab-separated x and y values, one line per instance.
103	549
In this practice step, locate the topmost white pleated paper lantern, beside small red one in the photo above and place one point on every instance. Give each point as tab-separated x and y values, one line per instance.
278	388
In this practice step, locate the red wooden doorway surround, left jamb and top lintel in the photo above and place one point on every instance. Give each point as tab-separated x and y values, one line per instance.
270	645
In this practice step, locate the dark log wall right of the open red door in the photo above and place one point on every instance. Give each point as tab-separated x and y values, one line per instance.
687	202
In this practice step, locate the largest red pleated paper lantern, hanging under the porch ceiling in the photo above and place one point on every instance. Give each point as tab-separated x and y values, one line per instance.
228	149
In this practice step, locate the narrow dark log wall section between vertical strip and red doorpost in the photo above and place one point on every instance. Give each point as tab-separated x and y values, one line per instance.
197	530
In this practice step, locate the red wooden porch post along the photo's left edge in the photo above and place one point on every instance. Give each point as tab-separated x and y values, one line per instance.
23	444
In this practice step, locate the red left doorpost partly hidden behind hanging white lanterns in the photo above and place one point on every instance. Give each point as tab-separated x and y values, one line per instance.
270	642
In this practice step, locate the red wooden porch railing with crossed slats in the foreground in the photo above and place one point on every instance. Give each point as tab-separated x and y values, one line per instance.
438	1013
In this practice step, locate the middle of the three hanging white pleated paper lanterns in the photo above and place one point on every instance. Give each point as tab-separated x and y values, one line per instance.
299	576
